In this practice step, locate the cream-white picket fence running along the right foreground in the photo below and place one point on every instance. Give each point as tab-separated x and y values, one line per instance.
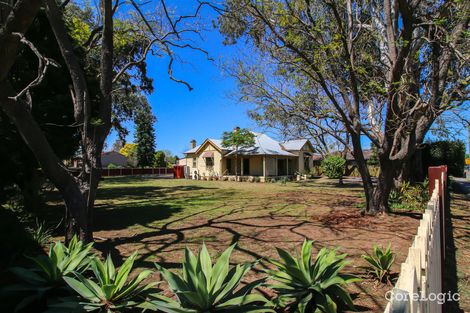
420	276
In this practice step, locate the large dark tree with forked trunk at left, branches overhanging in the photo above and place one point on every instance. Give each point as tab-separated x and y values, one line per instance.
104	57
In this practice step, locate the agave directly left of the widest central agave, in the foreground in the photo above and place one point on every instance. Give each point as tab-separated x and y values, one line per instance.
110	290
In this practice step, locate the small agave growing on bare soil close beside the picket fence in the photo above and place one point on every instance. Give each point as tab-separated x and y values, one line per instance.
381	262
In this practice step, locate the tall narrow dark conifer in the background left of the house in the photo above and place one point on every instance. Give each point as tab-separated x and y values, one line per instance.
145	135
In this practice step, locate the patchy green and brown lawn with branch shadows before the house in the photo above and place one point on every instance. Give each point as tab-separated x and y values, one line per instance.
159	217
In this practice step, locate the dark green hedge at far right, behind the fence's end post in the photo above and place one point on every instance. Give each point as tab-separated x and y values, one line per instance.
450	153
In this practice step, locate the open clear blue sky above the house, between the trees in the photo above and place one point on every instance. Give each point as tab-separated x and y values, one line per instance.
207	111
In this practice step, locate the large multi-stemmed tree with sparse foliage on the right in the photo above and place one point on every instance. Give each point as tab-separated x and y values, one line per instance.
385	70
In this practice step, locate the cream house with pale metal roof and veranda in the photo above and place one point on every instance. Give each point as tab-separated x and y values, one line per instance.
267	158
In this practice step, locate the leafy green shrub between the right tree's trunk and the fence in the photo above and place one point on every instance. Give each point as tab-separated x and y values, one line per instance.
409	197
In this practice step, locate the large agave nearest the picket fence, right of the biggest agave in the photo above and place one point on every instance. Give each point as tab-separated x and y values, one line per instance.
306	286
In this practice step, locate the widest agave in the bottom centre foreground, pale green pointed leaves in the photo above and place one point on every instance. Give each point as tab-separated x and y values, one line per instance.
208	287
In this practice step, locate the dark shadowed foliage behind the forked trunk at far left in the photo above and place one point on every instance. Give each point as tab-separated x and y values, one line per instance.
52	109
